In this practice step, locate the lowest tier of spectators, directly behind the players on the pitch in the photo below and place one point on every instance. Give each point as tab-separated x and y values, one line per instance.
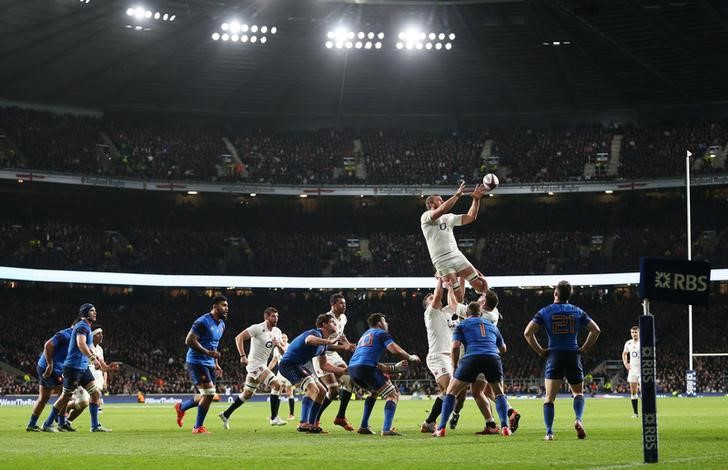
145	330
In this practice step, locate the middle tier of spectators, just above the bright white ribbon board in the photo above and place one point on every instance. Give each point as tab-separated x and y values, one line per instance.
154	249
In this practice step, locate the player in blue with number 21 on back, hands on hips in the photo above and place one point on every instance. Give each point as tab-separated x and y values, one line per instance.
562	322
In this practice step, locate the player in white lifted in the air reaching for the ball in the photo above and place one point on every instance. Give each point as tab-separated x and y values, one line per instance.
437	226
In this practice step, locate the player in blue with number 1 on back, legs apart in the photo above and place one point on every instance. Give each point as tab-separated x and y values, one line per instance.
483	343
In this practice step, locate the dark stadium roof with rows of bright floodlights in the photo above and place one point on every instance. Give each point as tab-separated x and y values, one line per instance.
506	57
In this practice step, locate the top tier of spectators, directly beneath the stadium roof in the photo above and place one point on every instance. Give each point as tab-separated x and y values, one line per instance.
155	149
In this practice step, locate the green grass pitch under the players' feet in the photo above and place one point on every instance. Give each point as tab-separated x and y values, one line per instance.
693	433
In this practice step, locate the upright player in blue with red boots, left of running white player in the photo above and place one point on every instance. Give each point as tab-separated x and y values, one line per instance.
202	361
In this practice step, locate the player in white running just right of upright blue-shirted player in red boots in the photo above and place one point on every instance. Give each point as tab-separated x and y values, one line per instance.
264	338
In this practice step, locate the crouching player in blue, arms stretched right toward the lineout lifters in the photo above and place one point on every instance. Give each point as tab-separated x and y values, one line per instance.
365	372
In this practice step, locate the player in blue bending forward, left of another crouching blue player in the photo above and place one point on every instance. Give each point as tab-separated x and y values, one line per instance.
294	366
